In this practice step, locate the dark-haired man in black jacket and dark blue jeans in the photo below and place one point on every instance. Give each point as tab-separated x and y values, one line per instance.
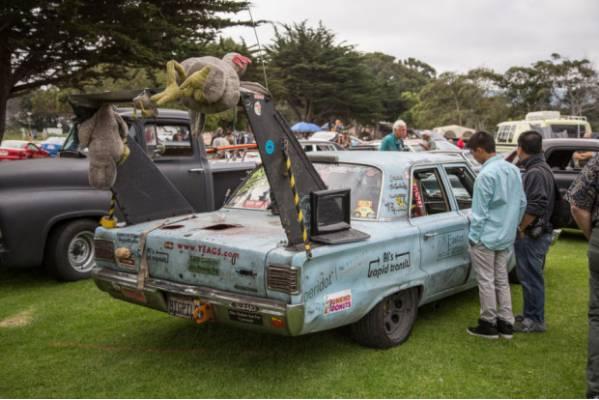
534	232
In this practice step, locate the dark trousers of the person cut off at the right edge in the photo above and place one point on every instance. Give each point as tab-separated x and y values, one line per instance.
593	357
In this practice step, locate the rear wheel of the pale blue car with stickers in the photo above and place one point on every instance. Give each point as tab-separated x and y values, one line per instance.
390	322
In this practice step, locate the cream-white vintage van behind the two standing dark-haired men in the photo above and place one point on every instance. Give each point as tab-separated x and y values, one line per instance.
550	124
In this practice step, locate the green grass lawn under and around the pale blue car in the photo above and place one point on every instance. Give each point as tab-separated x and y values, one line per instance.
71	340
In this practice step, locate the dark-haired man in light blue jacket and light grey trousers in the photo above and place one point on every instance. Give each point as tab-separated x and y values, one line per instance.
498	204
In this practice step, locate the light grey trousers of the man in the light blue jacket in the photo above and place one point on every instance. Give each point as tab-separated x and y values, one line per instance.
493	284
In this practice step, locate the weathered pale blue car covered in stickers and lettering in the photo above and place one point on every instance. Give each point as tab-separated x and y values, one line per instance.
232	266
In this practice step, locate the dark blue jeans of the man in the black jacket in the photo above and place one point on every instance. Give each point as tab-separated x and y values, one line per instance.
530	260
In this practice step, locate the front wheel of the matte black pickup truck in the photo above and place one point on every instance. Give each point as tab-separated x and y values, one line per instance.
70	250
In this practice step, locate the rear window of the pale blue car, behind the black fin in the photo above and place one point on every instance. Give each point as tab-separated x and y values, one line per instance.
364	182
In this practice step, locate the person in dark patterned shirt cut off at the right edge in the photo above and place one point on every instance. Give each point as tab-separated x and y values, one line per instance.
583	196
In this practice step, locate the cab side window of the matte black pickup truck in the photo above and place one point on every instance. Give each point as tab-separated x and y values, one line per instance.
168	140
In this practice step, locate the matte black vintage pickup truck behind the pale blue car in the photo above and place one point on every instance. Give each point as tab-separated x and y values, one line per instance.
48	211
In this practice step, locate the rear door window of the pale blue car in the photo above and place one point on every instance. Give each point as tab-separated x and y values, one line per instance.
428	194
